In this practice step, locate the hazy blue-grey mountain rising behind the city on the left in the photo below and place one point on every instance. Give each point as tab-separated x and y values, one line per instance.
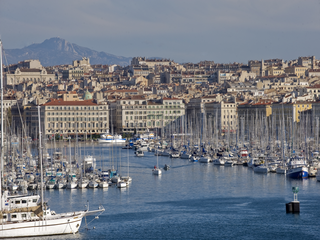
57	51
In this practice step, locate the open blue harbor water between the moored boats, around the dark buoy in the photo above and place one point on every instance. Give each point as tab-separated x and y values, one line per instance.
192	200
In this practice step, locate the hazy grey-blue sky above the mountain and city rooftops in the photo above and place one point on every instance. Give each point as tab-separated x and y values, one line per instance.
182	30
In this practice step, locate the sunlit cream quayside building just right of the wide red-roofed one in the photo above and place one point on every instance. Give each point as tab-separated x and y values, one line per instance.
137	114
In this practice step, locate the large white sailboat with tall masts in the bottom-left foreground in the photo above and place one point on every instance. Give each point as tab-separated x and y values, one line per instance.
26	215
